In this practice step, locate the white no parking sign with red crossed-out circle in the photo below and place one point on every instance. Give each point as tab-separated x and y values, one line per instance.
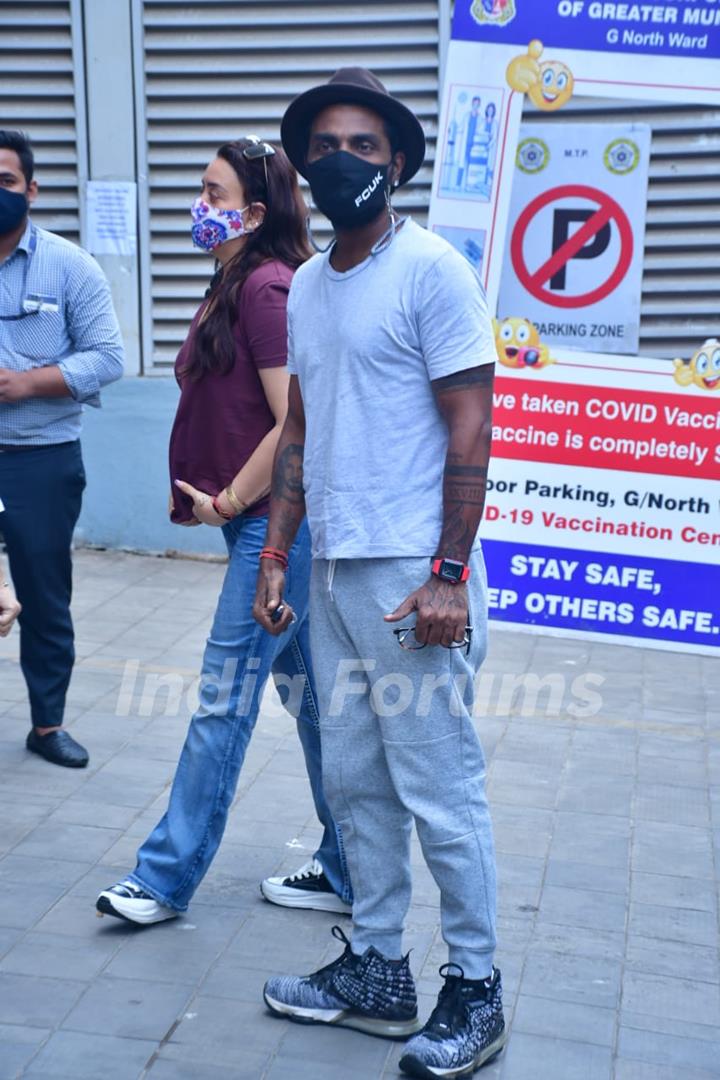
577	223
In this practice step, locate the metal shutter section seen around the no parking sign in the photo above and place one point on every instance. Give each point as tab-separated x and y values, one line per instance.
682	277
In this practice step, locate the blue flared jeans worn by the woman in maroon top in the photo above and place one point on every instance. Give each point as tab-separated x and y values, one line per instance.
239	658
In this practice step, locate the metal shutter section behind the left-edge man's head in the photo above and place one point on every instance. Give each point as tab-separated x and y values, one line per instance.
43	93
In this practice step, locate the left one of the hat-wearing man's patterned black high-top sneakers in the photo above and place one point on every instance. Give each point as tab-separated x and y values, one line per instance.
368	993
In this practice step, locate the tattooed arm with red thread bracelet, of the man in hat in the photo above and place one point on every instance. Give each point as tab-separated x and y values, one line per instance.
288	509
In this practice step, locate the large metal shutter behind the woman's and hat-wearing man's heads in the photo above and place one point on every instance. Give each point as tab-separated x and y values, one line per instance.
216	70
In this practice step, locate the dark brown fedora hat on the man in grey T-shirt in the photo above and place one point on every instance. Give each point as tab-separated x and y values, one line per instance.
352	87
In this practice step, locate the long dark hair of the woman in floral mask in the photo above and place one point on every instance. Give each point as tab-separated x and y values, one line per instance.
282	236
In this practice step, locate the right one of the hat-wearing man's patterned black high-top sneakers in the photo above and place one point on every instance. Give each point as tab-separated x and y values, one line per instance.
466	1030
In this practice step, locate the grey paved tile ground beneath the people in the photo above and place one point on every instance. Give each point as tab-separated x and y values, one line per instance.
608	832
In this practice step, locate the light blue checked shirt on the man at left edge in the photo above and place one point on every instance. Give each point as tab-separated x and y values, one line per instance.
75	328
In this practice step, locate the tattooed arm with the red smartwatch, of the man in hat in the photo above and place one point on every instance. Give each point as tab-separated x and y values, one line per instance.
466	403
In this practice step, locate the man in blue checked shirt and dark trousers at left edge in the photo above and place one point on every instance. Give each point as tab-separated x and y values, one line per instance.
60	345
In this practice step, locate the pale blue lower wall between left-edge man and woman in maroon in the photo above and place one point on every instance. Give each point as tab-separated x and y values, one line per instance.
126	453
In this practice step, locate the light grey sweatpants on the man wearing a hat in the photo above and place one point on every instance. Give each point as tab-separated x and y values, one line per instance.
399	745
